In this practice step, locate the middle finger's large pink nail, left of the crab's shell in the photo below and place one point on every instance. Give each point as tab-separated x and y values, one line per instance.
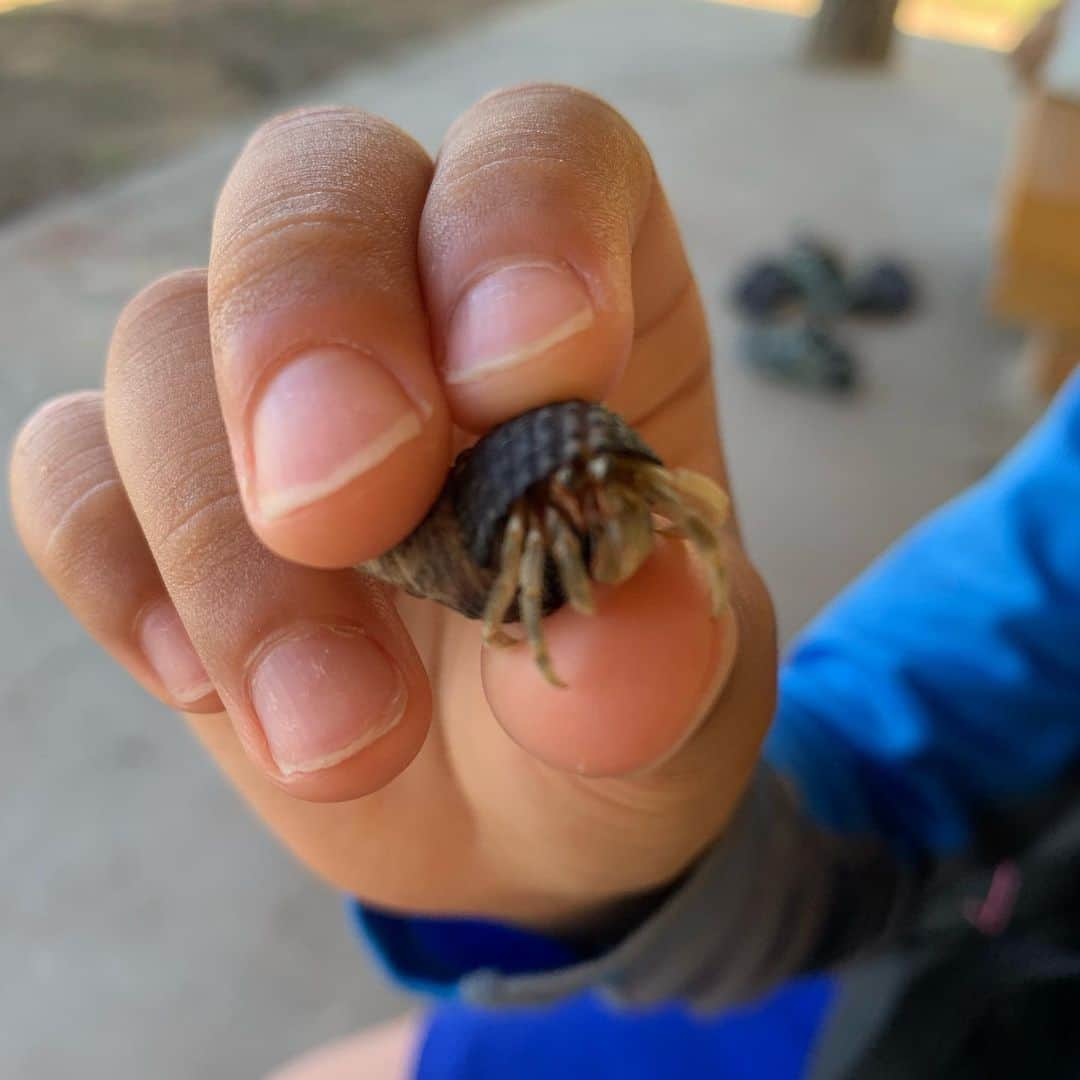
327	418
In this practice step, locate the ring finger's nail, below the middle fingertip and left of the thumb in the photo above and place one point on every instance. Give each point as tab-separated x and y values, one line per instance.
323	696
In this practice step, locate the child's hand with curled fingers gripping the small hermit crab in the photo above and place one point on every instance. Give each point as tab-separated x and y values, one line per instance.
294	411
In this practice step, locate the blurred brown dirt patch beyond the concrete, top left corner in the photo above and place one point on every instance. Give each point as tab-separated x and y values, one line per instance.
92	88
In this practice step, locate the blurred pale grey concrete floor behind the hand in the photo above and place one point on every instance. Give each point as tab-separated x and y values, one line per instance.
147	926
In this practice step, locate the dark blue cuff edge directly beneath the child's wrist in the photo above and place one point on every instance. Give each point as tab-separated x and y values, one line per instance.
433	956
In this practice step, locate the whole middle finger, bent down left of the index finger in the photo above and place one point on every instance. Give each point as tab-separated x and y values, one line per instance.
339	427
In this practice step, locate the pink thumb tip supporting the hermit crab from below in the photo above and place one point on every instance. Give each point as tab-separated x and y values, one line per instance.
641	674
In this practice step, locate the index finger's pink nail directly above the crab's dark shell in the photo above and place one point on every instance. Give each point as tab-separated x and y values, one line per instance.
512	316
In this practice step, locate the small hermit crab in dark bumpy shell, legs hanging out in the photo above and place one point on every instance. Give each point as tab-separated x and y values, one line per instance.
542	507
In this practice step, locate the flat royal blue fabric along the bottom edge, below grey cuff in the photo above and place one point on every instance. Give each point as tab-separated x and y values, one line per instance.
771	1041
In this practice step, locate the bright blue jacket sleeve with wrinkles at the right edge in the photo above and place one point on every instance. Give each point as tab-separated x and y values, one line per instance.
949	676
